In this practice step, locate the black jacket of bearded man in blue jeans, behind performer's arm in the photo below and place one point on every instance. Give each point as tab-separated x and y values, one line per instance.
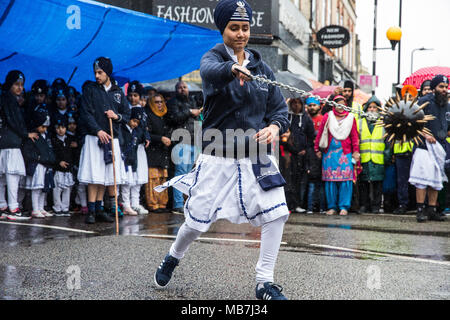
179	116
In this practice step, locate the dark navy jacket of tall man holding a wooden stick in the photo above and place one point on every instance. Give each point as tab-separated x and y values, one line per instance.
94	102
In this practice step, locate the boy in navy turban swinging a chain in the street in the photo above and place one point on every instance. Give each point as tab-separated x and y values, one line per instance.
235	186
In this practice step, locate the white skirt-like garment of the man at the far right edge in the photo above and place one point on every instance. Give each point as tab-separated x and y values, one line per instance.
427	167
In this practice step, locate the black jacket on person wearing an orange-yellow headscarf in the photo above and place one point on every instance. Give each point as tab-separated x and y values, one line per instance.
158	155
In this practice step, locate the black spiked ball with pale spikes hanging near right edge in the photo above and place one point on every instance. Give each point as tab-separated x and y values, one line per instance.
404	120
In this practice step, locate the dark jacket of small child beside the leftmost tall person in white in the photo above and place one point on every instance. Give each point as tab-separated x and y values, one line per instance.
40	151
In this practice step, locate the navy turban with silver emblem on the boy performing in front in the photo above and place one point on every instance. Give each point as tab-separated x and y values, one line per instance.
231	10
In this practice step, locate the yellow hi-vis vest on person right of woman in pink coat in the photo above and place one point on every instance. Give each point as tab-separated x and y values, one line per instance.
371	145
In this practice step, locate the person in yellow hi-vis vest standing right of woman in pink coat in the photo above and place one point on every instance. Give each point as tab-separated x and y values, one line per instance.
373	151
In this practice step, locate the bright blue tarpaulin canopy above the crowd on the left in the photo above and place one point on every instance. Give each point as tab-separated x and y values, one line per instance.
47	39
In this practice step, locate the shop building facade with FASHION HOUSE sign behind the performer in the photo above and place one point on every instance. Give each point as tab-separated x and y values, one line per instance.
284	31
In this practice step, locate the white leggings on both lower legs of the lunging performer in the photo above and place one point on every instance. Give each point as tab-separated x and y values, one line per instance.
271	234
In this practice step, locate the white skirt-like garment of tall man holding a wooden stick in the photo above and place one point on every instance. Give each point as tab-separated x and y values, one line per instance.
93	170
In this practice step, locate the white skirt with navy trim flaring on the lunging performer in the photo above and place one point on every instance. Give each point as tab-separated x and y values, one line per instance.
226	188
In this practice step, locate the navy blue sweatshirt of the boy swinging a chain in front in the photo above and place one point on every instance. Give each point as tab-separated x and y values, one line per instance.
228	105
